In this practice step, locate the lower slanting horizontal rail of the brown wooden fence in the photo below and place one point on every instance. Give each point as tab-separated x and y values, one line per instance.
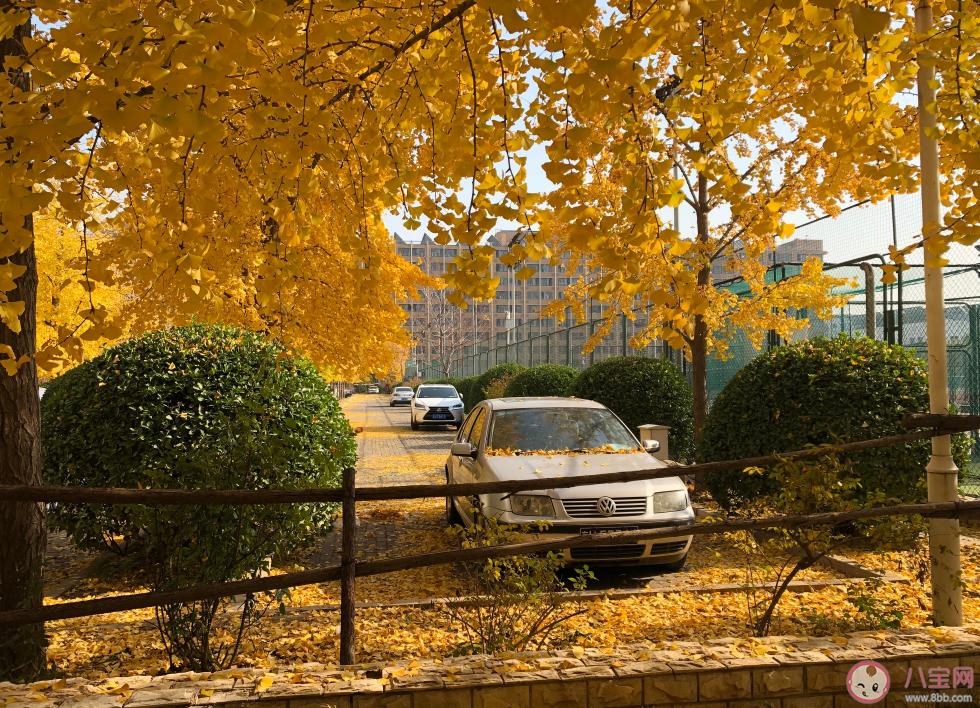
137	601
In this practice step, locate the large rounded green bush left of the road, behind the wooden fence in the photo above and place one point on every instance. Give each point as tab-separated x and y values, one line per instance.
199	407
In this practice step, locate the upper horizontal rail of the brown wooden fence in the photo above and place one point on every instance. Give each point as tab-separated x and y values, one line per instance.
210	497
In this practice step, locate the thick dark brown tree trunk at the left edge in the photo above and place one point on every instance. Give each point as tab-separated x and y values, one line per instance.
22	528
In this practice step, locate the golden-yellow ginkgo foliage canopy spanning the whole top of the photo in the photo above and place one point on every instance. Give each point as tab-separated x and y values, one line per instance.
242	157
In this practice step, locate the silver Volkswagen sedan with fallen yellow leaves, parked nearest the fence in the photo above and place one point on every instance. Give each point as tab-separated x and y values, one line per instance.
536	438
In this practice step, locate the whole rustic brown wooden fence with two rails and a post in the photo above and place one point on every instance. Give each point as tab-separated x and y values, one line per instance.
348	495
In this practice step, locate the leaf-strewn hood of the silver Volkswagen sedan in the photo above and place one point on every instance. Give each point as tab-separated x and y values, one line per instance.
507	468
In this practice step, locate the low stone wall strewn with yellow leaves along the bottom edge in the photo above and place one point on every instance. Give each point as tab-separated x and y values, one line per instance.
662	672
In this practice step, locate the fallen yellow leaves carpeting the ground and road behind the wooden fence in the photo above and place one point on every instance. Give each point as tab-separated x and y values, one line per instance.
125	643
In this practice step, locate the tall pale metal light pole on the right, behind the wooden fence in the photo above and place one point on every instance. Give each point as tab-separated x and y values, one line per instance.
942	474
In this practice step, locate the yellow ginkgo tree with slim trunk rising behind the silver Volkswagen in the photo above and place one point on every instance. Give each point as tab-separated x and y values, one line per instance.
749	129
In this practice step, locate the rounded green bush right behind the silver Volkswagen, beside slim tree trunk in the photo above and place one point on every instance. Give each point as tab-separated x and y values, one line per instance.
641	391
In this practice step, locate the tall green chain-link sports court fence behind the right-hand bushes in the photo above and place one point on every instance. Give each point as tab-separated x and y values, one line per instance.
859	235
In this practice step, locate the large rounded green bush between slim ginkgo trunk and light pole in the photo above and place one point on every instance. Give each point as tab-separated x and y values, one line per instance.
817	392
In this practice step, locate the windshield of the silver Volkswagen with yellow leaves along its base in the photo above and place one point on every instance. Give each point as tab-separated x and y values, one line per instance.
578	429
